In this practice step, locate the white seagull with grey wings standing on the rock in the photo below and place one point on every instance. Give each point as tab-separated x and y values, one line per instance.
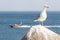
42	17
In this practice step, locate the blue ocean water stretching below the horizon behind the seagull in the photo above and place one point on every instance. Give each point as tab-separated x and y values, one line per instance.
6	18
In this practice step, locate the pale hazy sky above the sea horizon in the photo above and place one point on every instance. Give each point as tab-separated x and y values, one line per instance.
28	5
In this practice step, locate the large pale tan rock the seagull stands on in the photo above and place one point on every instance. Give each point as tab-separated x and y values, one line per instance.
39	32
